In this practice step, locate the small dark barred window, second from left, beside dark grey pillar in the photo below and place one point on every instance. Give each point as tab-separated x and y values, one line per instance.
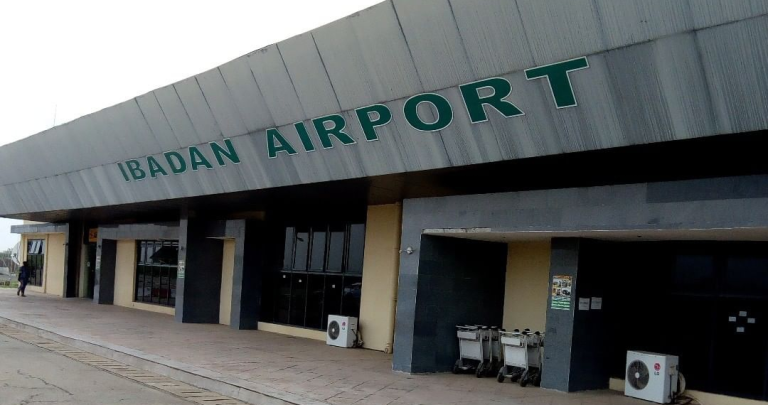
156	267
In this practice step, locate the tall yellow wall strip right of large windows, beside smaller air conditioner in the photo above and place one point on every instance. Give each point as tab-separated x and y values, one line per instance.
381	265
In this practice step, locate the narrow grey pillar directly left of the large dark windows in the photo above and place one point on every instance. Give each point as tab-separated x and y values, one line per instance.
247	274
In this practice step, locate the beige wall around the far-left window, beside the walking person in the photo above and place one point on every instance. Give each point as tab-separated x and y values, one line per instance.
53	266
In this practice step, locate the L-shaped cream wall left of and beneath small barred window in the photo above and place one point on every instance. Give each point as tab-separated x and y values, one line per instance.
125	271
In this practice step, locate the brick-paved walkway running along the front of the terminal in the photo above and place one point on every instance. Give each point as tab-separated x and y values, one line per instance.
286	369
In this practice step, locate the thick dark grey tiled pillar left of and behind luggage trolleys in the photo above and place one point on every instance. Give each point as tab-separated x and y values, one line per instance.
458	281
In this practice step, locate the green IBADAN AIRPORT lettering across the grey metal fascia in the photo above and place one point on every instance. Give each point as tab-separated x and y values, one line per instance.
480	99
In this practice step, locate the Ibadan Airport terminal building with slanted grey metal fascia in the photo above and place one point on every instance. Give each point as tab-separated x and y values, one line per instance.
427	164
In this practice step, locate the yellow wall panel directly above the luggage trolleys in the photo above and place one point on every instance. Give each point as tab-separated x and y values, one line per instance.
527	285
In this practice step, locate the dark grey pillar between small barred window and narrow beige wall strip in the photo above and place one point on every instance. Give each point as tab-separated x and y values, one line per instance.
198	286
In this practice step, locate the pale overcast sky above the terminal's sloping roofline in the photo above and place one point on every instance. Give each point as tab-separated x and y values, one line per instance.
60	60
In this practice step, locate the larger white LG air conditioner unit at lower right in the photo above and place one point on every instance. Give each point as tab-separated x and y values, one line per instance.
651	376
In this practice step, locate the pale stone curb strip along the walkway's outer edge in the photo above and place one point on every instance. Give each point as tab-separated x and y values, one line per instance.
243	390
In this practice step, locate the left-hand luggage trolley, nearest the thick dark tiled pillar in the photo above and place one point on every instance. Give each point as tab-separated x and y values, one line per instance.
474	349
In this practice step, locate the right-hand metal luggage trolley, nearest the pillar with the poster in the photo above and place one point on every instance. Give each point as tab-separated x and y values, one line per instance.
522	357
